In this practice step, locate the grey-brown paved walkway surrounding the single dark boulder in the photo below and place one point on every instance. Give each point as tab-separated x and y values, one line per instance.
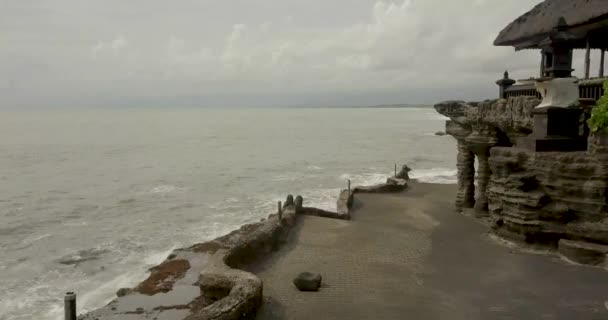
411	256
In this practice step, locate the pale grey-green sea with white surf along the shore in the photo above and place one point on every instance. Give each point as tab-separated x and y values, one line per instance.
92	198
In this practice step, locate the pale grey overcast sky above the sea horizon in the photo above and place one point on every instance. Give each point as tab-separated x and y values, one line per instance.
113	53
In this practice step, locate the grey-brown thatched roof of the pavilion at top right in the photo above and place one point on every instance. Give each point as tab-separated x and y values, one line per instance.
538	23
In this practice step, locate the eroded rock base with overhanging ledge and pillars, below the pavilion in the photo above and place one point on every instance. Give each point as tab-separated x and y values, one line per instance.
538	197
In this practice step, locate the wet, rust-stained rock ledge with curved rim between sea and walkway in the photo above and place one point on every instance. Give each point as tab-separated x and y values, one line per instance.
222	291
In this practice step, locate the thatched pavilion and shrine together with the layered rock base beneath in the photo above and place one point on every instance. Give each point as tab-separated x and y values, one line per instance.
541	176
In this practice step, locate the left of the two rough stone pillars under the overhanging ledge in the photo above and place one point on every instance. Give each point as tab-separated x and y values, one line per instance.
466	174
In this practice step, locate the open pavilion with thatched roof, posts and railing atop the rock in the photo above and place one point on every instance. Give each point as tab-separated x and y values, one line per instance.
581	24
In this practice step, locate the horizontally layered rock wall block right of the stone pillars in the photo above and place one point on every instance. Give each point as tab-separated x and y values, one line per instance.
543	197
